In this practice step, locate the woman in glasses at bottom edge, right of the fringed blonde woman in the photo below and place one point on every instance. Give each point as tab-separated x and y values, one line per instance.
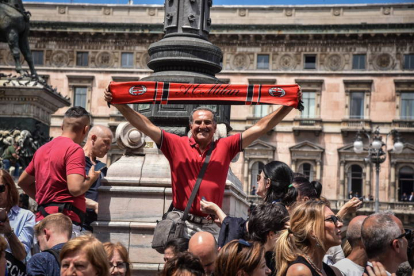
118	259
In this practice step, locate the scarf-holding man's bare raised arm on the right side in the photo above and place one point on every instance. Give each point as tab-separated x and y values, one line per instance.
264	125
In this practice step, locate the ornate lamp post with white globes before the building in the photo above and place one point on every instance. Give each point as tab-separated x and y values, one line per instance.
376	154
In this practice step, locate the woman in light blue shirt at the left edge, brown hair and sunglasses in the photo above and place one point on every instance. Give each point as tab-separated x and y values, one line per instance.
16	224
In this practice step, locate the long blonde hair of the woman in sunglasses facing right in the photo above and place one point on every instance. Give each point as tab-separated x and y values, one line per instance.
307	221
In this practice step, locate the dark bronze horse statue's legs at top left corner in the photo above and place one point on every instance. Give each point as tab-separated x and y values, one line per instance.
14	29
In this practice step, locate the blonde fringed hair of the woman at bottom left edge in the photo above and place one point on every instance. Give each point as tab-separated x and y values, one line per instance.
93	249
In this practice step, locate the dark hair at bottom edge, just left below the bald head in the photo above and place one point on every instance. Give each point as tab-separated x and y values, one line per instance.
183	262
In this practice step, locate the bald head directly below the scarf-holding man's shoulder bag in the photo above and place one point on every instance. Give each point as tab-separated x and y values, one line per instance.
204	246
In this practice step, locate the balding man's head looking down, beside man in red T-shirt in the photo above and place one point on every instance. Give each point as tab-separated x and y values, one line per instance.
99	141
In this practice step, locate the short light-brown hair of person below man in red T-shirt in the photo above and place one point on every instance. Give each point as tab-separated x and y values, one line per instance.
58	222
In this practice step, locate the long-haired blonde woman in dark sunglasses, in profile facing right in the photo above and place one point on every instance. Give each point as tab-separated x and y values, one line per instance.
313	229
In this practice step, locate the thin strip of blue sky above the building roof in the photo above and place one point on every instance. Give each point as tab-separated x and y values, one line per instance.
238	2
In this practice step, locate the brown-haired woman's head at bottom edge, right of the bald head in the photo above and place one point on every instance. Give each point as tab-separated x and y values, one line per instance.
241	258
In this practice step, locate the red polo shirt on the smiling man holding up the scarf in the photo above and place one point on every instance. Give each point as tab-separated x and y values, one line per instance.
186	161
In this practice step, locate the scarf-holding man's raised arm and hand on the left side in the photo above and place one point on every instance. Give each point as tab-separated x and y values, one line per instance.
138	120
